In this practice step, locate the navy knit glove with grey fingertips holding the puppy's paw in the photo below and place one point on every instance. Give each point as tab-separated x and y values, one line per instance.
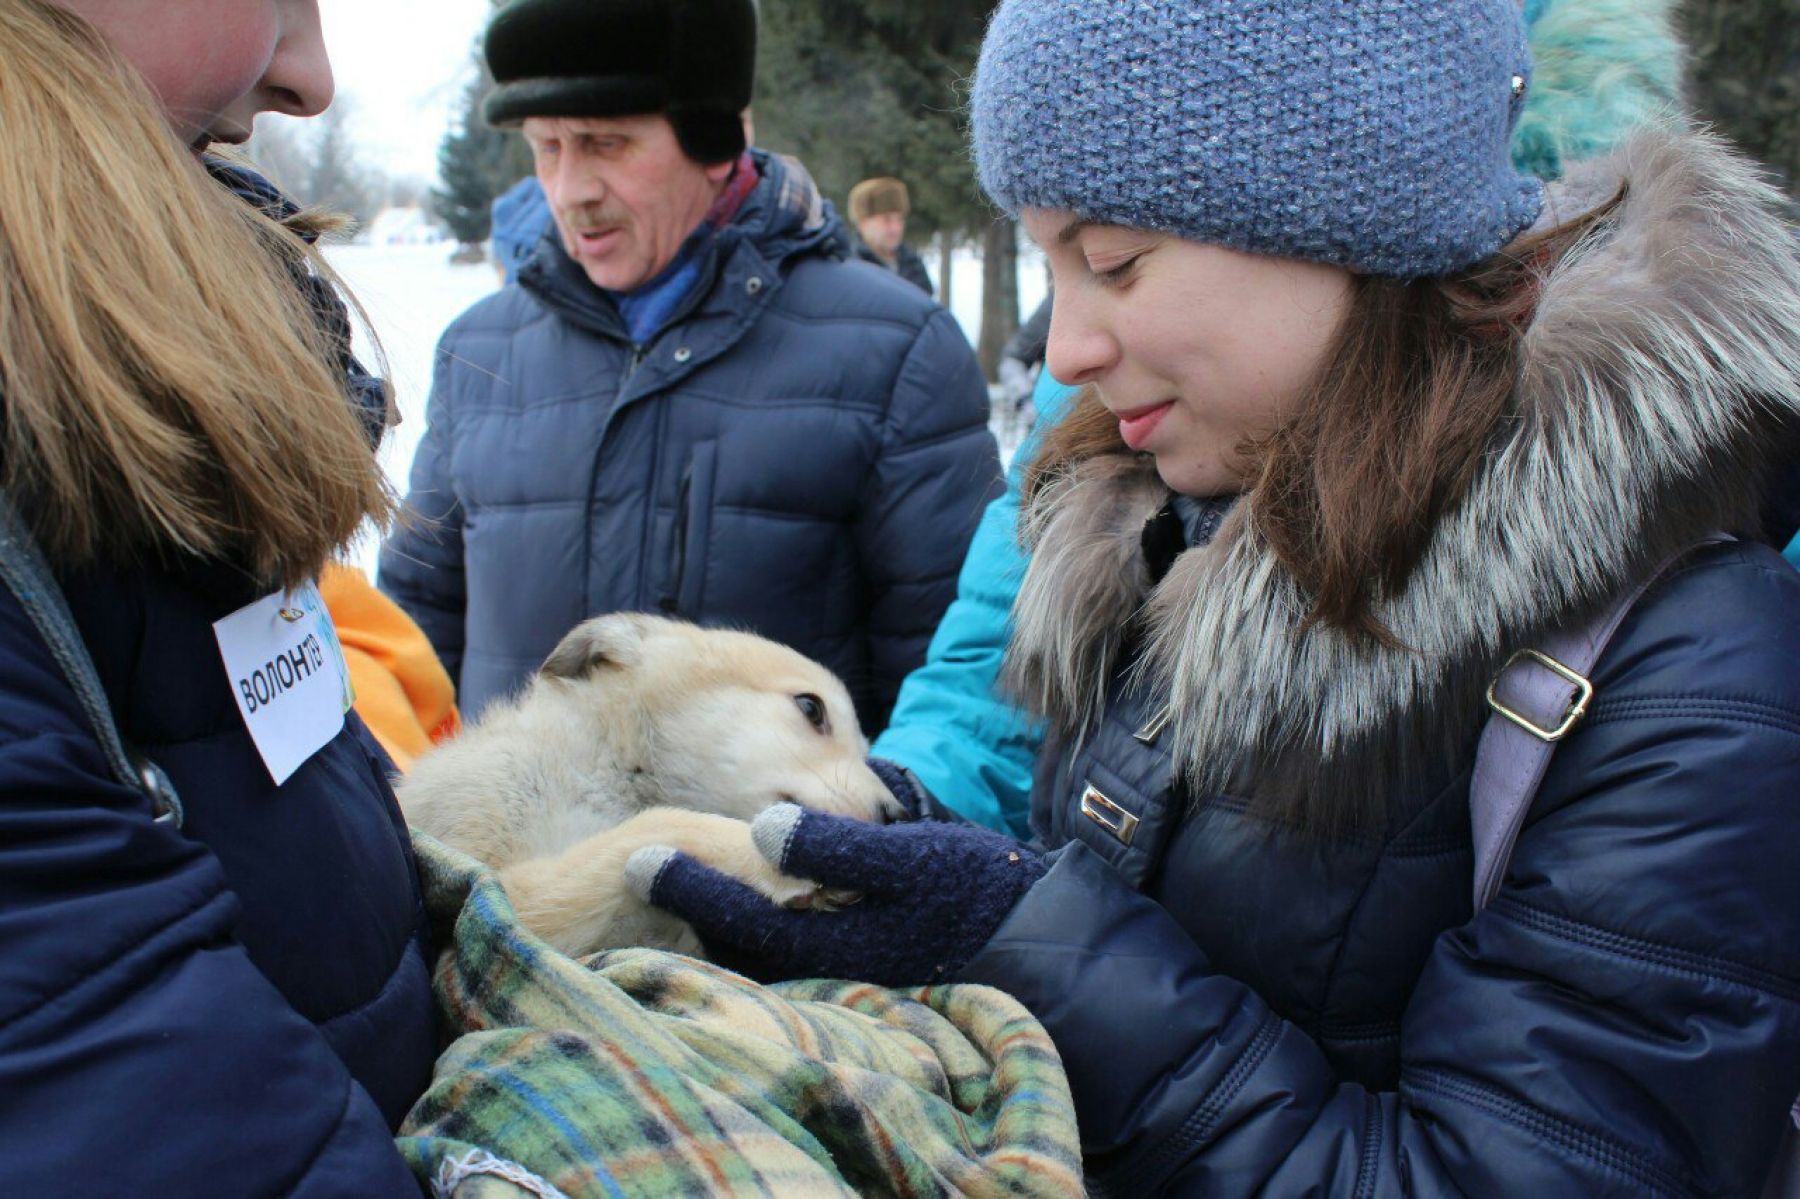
917	901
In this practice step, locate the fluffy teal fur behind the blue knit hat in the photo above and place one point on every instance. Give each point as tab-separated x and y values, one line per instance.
1603	69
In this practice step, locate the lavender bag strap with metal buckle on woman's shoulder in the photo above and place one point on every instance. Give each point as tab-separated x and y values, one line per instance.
1538	699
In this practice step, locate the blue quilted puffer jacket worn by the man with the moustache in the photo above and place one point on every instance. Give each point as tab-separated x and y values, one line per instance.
802	453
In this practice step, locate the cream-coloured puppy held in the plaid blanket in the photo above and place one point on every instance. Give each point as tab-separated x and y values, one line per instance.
643	732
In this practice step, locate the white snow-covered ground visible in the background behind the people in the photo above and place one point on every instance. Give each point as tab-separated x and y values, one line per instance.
411	293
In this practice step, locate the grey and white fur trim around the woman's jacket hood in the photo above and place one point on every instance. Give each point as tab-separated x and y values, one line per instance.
1660	374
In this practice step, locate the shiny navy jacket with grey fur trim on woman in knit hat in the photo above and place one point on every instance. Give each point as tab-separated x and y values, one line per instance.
1252	1007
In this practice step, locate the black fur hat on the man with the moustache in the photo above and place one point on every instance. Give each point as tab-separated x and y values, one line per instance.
694	60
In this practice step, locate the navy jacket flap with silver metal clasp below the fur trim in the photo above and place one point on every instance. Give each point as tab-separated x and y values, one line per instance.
1119	793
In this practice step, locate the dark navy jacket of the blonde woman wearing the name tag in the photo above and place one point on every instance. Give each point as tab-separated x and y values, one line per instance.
238	1007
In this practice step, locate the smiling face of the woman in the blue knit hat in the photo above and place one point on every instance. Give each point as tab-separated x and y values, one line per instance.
1194	348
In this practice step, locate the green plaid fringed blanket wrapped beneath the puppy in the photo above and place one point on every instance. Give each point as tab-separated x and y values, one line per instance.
649	1074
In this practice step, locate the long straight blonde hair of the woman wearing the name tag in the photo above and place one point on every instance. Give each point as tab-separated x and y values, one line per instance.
166	386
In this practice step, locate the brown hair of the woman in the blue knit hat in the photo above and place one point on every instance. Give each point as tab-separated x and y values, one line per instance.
1389	440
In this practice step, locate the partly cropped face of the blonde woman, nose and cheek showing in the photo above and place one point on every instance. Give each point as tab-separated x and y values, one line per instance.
219	64
